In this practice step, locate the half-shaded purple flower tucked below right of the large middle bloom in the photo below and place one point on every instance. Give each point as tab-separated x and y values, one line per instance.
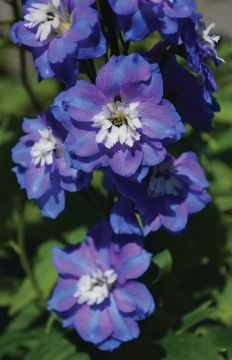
166	196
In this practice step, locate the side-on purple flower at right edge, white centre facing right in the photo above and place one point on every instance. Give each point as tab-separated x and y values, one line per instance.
199	45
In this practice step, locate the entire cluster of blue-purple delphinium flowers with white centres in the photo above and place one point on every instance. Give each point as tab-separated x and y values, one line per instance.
120	121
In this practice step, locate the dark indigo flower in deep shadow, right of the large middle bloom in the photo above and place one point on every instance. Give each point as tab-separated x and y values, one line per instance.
182	89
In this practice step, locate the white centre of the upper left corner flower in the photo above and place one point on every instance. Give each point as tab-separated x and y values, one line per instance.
48	17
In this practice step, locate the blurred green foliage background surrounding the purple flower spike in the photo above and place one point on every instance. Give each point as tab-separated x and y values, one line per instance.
194	297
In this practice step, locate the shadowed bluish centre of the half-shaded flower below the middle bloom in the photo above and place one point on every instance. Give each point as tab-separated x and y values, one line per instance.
163	182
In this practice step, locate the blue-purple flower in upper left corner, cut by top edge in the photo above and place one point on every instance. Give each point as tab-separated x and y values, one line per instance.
58	33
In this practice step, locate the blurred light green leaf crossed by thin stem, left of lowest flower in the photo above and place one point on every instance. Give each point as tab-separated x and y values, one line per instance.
45	275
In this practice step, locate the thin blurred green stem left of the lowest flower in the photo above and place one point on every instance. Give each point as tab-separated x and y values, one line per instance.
23	254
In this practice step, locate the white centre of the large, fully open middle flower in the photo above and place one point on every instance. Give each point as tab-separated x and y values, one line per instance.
118	122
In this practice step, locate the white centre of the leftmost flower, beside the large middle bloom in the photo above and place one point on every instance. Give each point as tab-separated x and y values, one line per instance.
42	150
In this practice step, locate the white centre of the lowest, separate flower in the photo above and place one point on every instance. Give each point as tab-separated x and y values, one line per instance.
95	288
